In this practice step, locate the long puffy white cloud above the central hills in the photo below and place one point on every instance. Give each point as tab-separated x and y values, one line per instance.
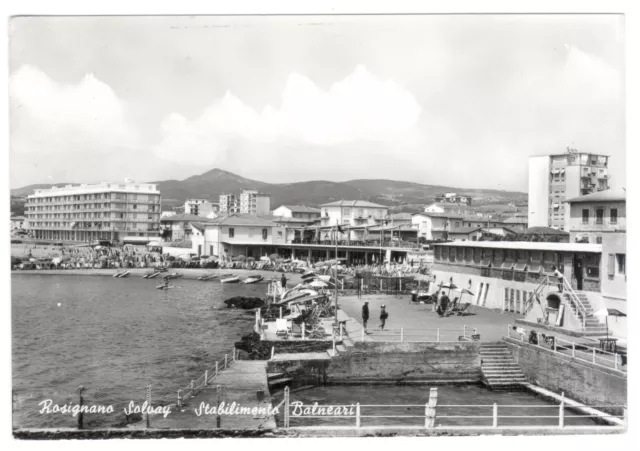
359	108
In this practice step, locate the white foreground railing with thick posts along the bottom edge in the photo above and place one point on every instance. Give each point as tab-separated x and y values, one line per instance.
431	415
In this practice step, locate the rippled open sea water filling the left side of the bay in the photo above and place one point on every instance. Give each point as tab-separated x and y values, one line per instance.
114	337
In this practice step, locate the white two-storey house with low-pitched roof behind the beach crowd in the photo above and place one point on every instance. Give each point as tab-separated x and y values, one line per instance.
229	236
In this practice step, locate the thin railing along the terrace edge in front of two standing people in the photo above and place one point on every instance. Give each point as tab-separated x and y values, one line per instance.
420	335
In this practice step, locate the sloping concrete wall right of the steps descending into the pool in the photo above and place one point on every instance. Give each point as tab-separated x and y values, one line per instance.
579	380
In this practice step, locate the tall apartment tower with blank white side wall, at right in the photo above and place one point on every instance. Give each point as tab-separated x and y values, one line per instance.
555	178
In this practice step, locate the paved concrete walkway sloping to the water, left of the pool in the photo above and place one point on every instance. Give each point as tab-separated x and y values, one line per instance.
240	384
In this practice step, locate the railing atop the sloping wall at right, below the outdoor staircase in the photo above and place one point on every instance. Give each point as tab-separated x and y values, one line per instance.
579	351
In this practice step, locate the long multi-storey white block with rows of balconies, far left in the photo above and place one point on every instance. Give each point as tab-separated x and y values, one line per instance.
108	211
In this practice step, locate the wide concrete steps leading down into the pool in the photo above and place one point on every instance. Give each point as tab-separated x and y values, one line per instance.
499	369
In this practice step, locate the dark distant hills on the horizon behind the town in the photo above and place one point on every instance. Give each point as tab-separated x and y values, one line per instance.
397	194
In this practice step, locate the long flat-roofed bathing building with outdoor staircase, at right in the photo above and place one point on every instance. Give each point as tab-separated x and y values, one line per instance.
519	277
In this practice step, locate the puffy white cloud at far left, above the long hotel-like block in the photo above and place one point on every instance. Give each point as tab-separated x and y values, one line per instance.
49	117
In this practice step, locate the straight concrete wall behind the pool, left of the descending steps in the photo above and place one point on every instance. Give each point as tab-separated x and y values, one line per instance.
375	361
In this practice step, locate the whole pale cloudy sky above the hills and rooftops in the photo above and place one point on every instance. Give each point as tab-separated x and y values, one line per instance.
459	100
